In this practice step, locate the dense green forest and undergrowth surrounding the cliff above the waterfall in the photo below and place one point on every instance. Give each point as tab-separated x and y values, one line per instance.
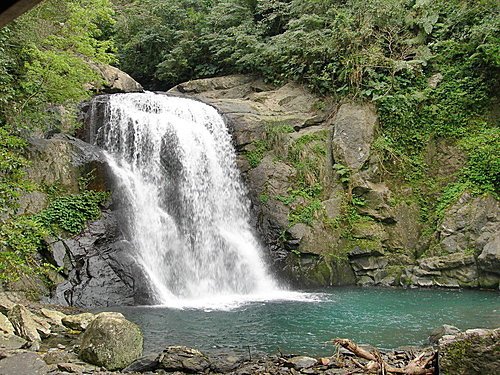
431	67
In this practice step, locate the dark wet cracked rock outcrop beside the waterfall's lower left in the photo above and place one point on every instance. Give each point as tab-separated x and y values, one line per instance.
99	266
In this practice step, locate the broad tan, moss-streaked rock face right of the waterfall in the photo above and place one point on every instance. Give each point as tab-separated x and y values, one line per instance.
326	207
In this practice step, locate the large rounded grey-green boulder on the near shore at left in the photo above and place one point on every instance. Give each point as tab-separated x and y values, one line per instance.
111	341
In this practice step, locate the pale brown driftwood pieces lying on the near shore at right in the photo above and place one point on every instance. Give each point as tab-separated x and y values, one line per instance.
417	366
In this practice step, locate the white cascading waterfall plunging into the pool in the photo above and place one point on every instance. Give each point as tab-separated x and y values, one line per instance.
187	213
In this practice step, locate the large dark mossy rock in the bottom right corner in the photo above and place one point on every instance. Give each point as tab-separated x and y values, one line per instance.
474	352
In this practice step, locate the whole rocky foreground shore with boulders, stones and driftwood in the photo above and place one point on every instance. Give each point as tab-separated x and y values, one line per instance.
51	339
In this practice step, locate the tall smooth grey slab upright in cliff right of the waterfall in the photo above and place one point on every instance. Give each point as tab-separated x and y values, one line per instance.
354	128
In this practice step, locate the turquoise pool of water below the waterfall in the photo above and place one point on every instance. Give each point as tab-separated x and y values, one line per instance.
386	318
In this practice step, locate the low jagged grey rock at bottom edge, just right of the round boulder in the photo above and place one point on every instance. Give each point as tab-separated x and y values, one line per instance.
182	358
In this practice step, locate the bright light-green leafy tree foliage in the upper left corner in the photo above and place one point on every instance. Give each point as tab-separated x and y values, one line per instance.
46	60
